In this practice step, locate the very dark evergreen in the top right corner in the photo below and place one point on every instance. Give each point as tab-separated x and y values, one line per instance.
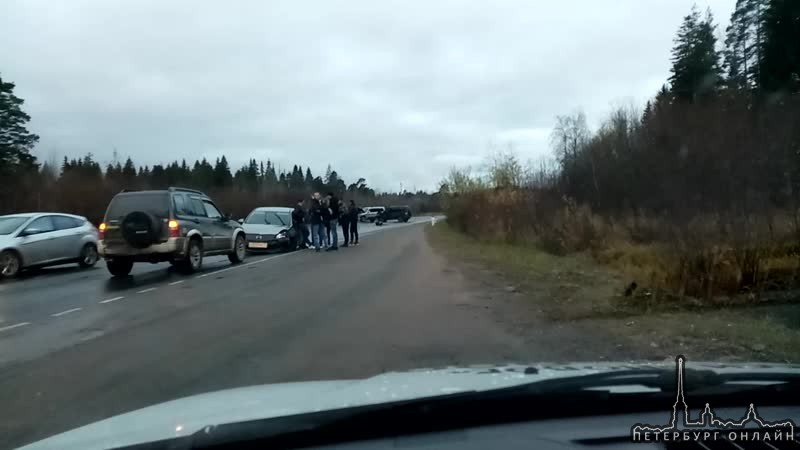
780	63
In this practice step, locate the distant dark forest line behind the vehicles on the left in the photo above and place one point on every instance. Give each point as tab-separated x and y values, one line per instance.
80	185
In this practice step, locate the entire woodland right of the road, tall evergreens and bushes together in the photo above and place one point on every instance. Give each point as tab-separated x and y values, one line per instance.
697	191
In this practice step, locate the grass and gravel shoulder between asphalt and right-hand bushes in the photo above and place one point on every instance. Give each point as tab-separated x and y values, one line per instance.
576	309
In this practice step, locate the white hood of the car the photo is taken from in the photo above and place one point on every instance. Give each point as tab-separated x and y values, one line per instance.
187	415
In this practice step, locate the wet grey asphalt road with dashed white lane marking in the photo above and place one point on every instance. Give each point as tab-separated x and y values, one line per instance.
77	346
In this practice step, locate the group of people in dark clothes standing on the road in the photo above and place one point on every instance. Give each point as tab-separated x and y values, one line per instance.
325	215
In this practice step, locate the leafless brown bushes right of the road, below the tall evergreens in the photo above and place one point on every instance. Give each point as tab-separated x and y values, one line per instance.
689	199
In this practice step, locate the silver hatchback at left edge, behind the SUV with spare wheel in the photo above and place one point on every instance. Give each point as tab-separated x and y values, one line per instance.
45	239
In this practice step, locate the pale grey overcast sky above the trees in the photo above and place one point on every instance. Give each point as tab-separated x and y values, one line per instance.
393	91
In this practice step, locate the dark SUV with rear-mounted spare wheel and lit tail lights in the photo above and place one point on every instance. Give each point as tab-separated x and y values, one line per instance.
176	225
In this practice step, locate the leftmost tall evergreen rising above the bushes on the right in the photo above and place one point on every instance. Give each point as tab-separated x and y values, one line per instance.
695	62
